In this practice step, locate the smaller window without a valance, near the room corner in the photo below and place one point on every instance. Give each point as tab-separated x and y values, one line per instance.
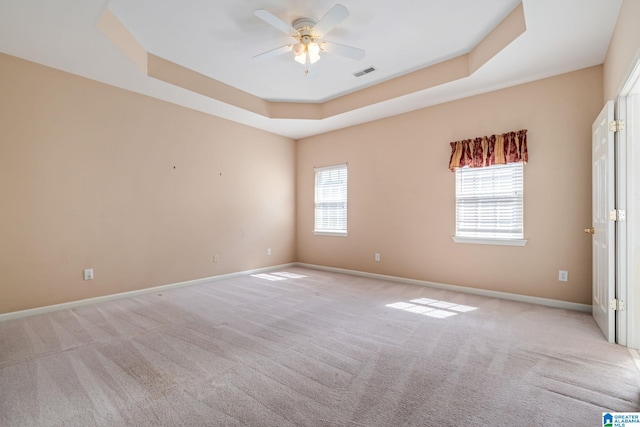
331	200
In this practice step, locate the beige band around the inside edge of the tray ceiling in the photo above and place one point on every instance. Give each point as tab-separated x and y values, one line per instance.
510	28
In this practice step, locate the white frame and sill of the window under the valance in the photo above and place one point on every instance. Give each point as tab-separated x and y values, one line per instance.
489	240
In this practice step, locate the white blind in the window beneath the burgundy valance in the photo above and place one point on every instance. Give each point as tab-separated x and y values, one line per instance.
489	202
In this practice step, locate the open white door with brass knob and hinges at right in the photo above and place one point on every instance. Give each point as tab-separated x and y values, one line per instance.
603	241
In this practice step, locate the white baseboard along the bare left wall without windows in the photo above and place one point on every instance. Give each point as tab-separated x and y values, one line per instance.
72	304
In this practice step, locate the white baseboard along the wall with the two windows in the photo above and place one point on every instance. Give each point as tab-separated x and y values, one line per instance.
482	292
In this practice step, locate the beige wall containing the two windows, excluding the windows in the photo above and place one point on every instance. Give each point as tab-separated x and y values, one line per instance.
401	194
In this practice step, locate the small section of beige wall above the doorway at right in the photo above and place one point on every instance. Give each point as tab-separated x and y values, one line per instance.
624	49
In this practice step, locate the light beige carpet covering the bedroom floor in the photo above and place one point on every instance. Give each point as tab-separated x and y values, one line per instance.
325	349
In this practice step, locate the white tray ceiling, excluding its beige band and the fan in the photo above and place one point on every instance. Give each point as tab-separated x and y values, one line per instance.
219	38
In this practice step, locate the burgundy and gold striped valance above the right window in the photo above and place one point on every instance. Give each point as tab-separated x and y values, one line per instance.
510	147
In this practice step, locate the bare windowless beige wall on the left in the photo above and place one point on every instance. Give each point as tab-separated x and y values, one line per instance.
143	191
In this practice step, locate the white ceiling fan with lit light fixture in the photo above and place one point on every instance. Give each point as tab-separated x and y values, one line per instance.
309	37
